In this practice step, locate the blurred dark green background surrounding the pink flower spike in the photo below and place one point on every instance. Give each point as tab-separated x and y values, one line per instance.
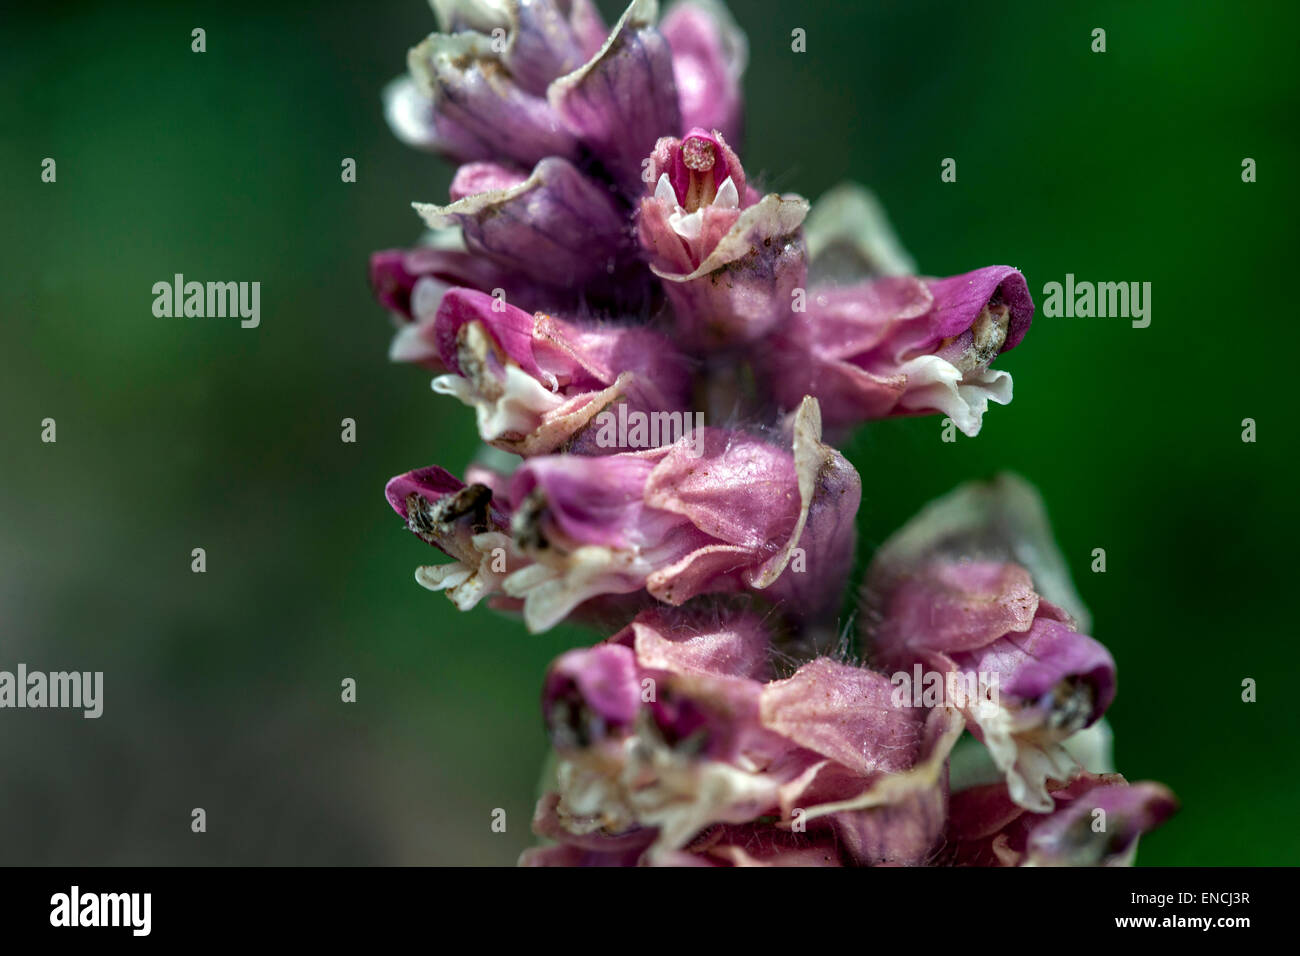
223	690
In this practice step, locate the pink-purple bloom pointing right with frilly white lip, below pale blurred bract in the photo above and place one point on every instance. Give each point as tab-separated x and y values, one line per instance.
902	345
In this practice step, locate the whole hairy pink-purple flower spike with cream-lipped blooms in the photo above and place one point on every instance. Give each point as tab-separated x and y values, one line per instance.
658	354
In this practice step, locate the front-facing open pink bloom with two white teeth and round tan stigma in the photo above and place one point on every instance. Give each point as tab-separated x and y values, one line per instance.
730	262
